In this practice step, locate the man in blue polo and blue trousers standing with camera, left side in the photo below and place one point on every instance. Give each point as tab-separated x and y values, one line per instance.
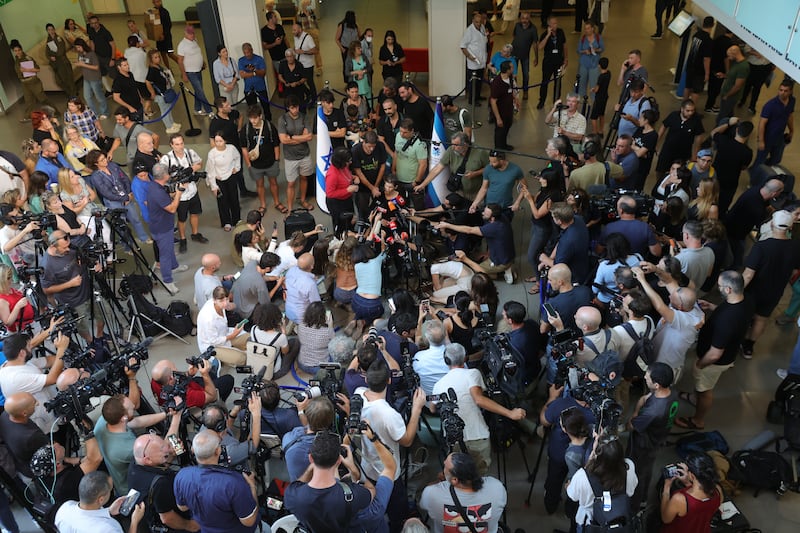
162	206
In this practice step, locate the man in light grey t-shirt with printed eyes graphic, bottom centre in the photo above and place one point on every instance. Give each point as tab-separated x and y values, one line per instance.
464	488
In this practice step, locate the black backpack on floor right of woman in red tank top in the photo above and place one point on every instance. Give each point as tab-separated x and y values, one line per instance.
762	470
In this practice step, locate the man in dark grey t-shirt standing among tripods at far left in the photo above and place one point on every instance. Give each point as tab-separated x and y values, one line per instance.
67	280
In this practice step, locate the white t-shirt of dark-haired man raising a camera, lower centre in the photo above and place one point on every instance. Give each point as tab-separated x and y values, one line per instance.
388	425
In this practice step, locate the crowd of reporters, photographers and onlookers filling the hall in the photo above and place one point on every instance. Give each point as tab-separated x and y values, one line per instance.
639	280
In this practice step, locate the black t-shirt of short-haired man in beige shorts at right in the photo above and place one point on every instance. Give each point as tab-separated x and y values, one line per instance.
725	328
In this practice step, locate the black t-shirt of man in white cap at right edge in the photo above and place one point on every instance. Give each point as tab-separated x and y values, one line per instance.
773	261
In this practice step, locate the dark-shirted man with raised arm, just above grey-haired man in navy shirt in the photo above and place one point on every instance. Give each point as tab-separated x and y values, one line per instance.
216	418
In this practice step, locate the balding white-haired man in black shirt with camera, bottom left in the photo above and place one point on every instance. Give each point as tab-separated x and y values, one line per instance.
151	475
